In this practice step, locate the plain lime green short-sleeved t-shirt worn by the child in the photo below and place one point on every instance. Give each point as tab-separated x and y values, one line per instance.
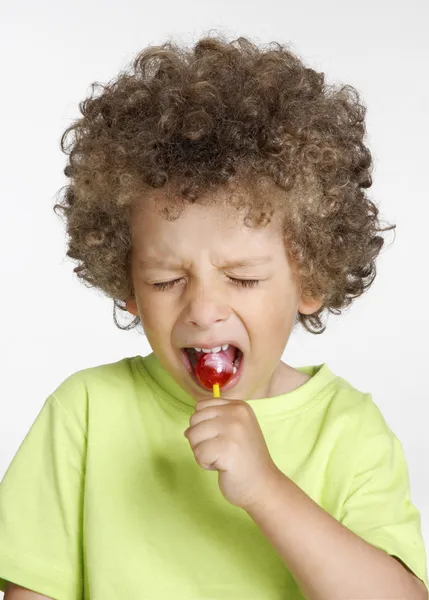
104	499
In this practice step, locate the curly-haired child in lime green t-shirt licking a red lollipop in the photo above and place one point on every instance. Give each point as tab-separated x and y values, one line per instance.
218	195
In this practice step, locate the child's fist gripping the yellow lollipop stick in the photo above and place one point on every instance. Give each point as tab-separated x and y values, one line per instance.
225	435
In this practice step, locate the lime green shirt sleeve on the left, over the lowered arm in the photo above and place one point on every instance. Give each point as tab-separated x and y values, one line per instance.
41	499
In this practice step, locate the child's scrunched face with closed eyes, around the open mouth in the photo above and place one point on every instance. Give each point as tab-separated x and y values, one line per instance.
189	277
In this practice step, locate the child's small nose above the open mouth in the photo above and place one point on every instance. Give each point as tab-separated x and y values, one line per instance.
205	307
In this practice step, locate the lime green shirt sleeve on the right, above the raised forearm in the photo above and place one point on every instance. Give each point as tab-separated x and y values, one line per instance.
378	507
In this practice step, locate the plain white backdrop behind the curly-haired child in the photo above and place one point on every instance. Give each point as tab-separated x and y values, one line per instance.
52	325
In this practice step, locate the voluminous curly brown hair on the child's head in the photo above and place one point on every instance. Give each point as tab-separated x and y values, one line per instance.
195	119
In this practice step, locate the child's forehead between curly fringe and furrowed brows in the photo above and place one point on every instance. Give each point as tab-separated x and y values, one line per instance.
203	226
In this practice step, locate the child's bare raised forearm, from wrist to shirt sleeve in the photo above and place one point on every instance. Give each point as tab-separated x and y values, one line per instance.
327	560
